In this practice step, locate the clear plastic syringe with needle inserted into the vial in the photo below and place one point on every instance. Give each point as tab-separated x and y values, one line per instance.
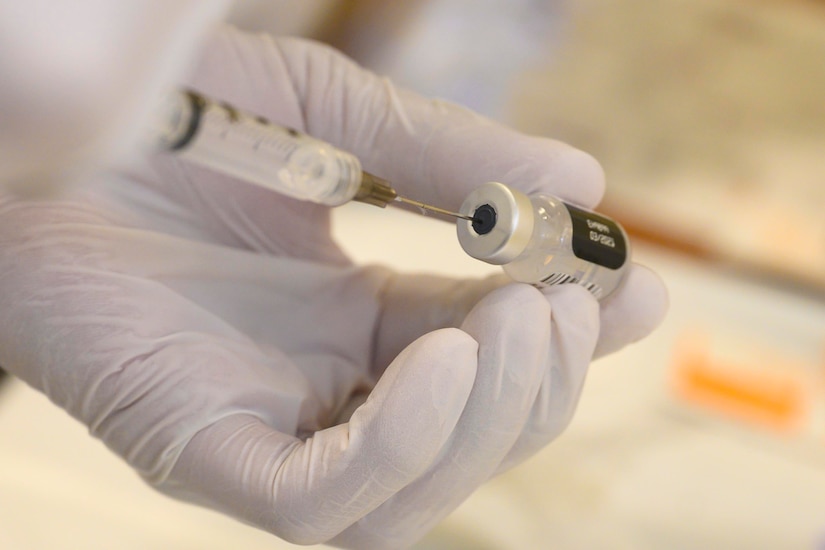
251	148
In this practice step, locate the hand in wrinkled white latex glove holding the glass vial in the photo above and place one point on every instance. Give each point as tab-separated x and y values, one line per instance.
214	336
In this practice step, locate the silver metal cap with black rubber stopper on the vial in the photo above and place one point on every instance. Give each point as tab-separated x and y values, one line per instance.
501	236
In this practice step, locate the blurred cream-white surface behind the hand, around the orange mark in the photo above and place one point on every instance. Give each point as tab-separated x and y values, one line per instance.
631	472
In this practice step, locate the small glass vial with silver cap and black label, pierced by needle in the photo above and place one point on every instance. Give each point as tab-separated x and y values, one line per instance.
542	240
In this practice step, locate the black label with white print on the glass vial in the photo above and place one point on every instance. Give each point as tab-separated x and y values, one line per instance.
597	239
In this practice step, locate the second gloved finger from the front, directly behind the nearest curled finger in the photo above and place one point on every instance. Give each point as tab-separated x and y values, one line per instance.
512	327
